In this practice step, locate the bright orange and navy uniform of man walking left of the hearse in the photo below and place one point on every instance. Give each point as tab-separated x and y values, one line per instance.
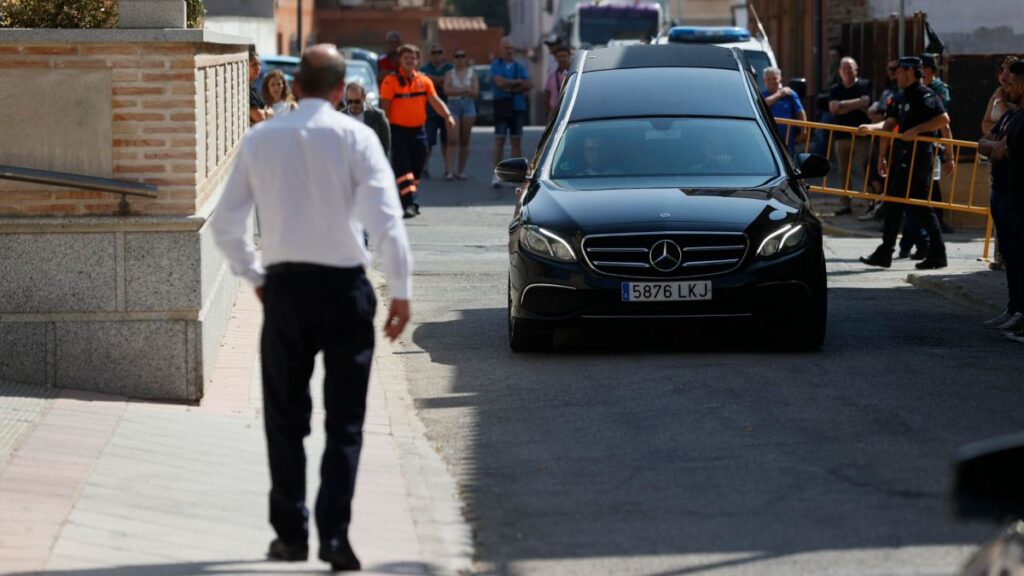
408	113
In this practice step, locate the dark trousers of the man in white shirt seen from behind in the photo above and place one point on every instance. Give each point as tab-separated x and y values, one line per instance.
310	309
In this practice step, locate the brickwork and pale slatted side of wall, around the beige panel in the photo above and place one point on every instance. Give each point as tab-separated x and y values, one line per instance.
178	113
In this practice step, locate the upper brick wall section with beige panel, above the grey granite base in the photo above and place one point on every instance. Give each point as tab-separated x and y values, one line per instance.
168	114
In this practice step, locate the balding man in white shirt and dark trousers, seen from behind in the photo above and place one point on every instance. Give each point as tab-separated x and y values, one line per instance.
319	180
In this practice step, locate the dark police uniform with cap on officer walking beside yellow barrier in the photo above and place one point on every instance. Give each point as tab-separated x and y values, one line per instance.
915	106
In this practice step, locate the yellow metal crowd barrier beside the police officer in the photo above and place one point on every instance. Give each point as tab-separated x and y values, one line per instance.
954	147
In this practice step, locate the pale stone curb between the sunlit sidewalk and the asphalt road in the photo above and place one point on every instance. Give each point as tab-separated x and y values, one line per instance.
445	537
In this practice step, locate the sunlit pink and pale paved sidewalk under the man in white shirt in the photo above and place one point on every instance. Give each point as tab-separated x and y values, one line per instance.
108	486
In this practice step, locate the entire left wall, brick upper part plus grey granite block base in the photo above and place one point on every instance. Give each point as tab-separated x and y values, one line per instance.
92	300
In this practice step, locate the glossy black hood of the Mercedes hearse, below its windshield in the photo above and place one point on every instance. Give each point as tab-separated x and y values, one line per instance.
661	209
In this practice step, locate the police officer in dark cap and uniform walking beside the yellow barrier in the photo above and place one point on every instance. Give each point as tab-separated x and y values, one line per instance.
917	112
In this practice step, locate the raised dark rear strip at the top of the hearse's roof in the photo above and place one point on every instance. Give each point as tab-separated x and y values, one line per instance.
664	56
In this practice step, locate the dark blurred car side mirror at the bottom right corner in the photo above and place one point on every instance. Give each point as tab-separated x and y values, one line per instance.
988	479
